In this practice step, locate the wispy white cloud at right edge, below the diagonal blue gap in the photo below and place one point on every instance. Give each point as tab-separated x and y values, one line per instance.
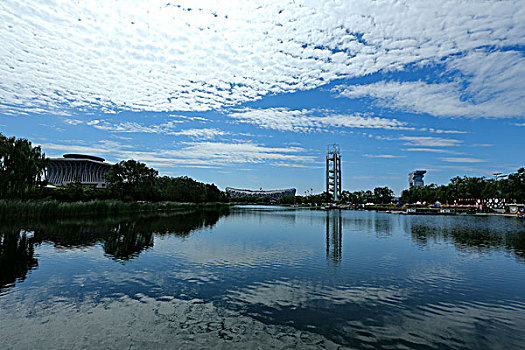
494	88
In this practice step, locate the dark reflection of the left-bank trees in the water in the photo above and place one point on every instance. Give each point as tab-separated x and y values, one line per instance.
122	238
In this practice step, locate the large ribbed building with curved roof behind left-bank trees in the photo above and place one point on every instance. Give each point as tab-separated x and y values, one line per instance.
83	168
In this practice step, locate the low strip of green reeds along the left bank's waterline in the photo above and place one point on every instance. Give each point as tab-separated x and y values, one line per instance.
18	209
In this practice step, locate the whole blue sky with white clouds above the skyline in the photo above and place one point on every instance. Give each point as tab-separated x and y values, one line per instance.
249	94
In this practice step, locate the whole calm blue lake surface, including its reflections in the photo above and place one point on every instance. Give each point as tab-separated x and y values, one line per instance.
264	278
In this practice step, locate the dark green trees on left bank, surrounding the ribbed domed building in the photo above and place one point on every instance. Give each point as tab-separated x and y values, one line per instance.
22	169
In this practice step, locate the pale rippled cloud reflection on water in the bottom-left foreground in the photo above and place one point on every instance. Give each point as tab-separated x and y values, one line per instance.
143	322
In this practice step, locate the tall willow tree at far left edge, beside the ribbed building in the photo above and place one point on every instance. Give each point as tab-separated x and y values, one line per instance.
21	166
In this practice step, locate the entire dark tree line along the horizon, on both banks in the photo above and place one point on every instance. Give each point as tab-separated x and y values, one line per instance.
22	168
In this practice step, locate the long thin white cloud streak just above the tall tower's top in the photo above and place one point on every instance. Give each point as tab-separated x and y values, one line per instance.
304	121
